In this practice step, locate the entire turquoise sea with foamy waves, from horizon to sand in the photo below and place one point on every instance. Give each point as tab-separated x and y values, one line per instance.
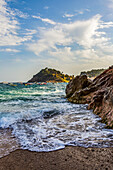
39	118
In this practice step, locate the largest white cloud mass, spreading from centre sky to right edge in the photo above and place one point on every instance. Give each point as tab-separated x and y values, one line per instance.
82	40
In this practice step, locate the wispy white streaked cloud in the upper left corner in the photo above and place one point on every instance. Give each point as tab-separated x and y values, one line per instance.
9	27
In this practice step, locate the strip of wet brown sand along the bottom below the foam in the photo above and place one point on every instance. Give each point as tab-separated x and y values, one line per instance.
71	157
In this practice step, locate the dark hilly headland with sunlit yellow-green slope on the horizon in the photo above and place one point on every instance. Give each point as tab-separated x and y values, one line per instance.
50	75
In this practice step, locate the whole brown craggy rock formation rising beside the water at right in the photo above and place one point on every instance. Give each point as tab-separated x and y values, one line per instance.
97	93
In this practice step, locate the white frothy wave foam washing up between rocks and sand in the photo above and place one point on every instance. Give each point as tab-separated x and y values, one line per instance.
61	130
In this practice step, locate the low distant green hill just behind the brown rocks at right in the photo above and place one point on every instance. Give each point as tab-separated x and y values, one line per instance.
92	73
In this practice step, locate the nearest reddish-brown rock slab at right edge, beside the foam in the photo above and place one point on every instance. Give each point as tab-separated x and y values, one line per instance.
102	104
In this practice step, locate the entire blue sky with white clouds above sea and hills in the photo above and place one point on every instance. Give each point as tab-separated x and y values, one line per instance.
68	35
